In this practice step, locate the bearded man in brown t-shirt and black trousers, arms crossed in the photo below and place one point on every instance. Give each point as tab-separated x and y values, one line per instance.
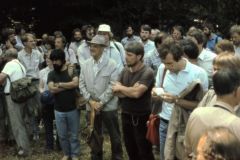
134	90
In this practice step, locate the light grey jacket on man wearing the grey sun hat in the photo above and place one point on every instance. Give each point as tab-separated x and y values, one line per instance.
99	87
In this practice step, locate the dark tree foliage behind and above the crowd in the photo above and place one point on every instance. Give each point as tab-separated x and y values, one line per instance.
49	15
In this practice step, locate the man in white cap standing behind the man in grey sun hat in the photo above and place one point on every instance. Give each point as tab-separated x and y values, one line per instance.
114	50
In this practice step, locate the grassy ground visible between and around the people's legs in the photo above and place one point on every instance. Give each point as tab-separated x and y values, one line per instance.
9	152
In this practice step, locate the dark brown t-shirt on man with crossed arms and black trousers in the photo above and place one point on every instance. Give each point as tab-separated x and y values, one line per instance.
141	105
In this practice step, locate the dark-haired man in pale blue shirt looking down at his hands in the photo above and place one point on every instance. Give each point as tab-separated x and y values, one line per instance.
179	74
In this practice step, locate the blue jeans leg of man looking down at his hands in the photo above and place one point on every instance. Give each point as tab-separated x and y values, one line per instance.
163	127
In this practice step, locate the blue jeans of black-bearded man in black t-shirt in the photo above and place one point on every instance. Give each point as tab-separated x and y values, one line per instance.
67	127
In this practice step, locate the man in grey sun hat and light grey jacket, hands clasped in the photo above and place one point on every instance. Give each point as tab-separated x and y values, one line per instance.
98	74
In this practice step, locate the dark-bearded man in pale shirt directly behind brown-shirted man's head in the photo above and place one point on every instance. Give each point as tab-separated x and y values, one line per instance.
130	37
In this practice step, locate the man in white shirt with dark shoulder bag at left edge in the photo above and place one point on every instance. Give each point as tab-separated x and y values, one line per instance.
15	70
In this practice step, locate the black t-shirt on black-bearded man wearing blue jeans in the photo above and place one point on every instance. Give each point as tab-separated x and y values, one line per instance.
65	101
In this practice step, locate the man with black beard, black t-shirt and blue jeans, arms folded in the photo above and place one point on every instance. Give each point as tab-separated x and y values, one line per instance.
63	86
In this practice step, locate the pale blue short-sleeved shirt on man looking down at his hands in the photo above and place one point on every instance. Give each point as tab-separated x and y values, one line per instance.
175	83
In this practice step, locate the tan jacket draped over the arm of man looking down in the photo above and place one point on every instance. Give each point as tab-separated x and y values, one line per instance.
174	147
